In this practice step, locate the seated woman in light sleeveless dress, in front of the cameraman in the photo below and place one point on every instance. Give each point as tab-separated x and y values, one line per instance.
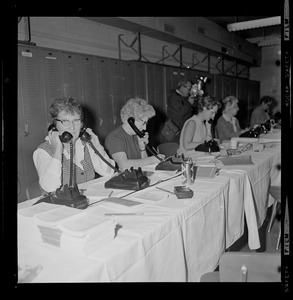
196	130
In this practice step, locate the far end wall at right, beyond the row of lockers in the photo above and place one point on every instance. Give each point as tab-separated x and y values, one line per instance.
269	74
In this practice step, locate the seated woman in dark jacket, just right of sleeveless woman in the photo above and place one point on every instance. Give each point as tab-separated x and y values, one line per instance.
227	124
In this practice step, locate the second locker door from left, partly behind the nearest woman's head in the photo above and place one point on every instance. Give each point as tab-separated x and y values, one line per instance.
50	63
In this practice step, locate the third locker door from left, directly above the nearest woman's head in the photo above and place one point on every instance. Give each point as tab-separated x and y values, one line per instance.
71	76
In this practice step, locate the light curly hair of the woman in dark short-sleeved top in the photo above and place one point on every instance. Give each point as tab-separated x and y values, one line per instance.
137	108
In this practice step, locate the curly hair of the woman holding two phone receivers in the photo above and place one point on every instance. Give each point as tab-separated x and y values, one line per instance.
67	104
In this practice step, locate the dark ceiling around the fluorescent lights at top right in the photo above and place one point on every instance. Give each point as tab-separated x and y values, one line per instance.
254	36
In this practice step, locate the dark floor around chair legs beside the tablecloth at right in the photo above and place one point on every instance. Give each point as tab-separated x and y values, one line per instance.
268	239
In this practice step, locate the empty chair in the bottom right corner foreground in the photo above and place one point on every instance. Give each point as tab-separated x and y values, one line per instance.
246	267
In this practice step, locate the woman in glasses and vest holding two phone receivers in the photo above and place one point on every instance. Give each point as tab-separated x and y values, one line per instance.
52	158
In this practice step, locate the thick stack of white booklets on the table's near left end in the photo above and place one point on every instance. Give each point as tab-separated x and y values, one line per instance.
75	232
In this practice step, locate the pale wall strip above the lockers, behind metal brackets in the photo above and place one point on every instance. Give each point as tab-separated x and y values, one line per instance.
85	36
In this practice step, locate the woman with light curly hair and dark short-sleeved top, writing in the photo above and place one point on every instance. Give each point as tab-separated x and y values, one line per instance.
123	144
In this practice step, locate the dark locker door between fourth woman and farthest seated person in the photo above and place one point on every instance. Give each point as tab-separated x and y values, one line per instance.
243	114
